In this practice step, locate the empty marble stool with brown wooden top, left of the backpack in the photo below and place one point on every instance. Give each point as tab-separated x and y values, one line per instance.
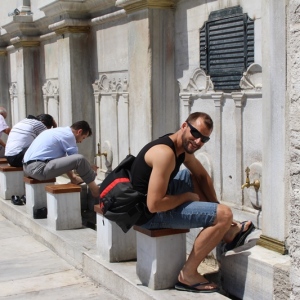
64	208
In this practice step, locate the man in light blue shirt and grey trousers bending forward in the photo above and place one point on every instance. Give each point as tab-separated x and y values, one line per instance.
54	152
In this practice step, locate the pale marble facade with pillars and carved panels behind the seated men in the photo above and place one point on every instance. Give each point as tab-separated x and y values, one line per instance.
131	68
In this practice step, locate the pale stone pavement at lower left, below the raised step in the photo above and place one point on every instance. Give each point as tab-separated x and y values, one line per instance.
30	270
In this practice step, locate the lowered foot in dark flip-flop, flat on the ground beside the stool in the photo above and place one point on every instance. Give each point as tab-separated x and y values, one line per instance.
194	283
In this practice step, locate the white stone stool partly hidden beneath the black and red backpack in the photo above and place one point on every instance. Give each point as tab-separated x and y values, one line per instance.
113	244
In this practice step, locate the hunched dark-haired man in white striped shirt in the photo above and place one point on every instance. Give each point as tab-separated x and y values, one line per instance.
22	135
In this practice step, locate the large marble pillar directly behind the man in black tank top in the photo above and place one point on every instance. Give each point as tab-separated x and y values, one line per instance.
151	51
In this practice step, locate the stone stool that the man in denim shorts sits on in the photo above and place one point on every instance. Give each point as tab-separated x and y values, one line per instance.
161	254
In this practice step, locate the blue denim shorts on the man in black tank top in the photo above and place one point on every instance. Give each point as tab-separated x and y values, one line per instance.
193	214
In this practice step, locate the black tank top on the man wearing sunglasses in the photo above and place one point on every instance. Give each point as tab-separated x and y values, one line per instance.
141	172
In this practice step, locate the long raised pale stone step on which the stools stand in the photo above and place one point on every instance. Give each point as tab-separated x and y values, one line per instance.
78	247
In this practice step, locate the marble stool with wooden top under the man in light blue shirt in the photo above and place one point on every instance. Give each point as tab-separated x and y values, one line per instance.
35	193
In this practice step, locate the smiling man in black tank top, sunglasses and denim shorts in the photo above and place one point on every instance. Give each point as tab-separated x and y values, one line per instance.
186	199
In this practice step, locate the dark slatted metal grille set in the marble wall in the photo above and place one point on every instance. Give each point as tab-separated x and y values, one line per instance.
227	47
